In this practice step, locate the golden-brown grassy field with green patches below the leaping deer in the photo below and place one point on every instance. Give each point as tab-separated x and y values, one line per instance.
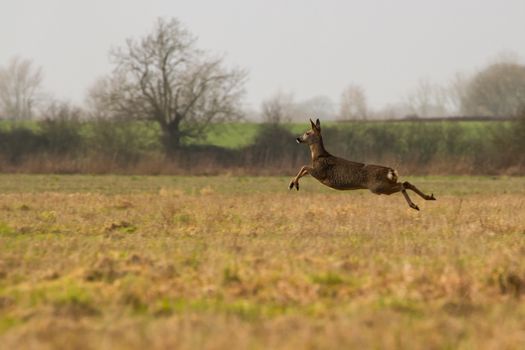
112	262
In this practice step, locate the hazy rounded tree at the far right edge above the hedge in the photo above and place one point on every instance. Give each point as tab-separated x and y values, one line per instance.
498	90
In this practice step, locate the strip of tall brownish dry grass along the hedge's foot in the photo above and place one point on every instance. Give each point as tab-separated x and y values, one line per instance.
210	164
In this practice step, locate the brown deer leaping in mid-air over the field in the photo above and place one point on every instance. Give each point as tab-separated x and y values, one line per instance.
342	174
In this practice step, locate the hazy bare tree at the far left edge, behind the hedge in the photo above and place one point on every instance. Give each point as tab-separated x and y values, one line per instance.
20	83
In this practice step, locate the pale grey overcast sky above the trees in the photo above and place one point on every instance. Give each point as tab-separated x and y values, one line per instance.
307	48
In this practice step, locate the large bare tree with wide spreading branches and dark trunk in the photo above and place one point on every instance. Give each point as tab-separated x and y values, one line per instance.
163	77
